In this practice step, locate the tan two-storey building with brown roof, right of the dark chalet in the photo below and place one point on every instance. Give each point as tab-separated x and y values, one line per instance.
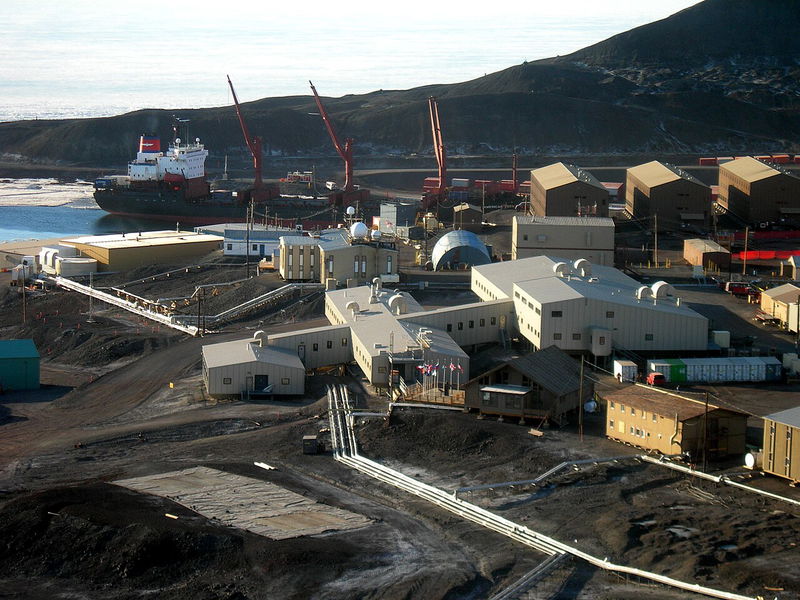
667	423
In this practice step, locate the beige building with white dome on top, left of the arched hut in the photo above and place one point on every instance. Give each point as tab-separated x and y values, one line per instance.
335	254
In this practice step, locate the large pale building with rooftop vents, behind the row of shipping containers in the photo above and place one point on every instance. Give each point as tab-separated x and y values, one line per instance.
580	307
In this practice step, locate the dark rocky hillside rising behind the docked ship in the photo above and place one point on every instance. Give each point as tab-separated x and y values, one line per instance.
722	76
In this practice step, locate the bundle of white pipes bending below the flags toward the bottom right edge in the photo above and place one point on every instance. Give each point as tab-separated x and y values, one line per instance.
345	450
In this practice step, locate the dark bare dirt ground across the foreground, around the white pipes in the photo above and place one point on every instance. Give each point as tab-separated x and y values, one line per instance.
107	412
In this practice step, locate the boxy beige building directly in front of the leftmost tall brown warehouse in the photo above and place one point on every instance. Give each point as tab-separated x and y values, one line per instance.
591	238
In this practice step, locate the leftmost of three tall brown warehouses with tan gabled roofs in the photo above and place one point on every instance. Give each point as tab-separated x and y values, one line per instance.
562	190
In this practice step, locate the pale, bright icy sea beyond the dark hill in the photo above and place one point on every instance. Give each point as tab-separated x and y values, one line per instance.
86	59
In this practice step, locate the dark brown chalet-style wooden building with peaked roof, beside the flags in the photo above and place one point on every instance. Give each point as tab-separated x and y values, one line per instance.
540	385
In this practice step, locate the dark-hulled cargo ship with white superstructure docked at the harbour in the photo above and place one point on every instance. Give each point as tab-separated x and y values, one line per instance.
173	186
